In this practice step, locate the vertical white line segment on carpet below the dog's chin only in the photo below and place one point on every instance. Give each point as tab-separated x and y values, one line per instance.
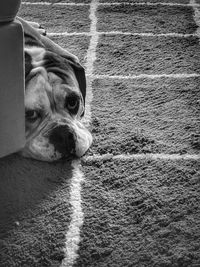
73	234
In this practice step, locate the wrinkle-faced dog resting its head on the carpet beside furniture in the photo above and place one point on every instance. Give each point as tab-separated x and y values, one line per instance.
55	91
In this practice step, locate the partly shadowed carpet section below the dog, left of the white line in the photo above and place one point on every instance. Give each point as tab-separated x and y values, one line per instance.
34	211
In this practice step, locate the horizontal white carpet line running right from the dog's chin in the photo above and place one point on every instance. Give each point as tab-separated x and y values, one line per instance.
129	157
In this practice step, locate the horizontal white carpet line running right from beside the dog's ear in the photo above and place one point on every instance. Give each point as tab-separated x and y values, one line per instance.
147	76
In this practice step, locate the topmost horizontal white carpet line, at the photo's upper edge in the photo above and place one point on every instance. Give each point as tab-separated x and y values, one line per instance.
114	3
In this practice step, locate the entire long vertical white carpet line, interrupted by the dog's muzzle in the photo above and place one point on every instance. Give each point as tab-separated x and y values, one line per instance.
73	234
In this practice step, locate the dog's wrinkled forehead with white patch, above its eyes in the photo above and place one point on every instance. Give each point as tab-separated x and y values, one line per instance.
47	76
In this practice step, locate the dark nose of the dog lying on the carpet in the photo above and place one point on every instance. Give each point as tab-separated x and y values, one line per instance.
63	140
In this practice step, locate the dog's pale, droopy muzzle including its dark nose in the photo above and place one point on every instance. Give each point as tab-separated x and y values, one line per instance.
58	140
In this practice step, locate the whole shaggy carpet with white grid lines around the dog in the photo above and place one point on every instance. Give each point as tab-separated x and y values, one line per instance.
134	198
